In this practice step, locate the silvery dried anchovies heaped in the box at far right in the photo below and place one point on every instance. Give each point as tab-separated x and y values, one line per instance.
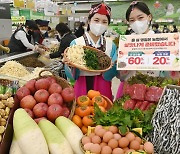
166	122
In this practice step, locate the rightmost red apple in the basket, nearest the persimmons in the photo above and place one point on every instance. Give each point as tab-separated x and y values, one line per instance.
68	94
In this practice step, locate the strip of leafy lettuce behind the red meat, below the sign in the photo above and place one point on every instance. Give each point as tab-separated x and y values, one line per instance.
149	81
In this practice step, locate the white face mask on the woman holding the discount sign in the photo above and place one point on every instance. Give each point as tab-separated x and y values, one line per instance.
139	27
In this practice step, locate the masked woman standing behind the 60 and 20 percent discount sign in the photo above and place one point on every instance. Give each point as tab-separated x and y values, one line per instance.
139	17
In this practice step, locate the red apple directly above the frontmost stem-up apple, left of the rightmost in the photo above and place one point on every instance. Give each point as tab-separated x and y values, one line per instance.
55	98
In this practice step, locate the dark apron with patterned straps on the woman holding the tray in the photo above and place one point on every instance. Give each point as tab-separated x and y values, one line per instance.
90	79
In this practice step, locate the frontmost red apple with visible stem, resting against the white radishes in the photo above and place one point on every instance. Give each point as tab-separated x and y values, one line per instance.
54	111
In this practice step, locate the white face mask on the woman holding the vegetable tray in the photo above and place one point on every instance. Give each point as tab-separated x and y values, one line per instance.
98	29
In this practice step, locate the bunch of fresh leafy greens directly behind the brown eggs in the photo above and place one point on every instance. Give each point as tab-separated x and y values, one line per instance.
124	119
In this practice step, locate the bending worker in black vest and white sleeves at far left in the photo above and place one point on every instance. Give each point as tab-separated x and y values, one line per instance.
21	39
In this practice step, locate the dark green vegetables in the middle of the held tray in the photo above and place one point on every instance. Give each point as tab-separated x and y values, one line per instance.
91	59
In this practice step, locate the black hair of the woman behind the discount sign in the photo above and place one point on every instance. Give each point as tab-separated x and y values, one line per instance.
139	5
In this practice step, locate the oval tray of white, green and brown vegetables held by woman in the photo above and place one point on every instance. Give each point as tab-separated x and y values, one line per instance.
87	58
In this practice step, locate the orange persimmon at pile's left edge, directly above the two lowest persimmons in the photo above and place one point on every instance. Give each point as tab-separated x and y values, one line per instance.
83	111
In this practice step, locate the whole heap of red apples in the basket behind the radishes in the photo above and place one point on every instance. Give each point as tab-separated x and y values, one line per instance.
45	98
